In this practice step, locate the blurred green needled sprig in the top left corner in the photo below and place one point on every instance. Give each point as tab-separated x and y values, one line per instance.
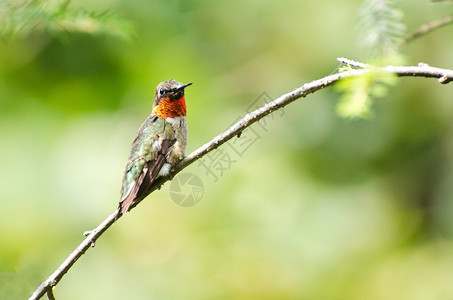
22	17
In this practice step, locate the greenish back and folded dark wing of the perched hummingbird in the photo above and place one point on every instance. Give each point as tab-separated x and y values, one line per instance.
142	170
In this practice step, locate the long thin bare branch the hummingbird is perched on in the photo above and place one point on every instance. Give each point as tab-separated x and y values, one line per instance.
422	70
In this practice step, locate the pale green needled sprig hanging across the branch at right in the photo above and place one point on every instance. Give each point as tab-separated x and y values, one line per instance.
381	34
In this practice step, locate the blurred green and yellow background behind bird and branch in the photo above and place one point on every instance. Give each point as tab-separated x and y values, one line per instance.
319	207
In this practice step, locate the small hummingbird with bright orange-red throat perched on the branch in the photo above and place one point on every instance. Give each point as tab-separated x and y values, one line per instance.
159	145
